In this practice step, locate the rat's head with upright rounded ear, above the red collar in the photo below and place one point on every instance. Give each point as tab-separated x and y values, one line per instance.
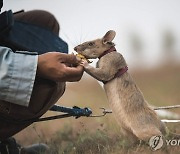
93	49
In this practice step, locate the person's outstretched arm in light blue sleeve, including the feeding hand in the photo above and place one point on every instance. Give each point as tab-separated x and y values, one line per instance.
18	72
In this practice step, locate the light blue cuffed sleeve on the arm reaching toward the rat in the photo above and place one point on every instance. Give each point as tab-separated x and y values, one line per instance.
17	75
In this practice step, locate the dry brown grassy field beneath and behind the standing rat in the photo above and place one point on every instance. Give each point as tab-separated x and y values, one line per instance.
160	86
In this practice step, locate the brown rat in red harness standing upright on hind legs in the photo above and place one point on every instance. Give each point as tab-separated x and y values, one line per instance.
136	118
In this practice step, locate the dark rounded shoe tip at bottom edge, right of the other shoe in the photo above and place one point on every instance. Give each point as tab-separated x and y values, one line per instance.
35	149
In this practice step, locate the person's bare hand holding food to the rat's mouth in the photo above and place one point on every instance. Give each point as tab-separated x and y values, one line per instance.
59	67
